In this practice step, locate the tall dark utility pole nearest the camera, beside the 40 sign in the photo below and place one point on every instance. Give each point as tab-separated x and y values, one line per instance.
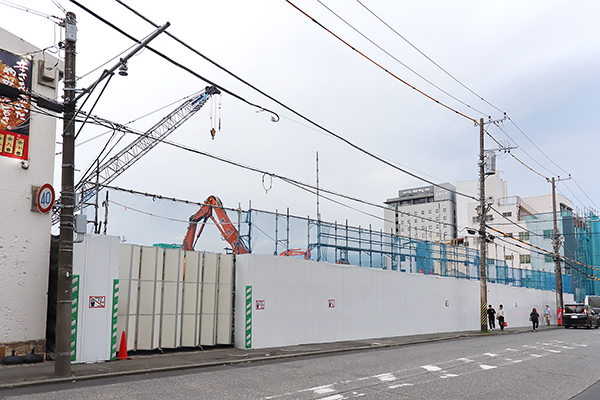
62	365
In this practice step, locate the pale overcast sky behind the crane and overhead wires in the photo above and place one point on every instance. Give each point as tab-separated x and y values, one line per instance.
536	60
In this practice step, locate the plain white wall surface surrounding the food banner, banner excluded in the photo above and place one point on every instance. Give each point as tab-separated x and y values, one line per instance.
25	234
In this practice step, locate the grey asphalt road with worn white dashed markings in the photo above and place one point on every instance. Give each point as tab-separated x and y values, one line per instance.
553	364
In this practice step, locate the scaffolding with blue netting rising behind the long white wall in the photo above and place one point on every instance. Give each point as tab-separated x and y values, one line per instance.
284	234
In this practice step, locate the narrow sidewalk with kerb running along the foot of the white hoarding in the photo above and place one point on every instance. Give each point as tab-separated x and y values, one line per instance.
16	376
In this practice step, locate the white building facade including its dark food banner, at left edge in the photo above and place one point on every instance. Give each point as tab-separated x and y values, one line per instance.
27	155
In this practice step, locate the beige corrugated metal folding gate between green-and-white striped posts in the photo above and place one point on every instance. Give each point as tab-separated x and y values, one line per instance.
170	299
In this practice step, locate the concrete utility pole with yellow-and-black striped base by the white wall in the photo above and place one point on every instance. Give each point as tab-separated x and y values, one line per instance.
482	235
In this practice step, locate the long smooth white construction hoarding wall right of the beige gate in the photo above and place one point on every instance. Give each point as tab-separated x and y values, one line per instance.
369	303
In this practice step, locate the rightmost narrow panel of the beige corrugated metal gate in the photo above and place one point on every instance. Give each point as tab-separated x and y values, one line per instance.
225	300
